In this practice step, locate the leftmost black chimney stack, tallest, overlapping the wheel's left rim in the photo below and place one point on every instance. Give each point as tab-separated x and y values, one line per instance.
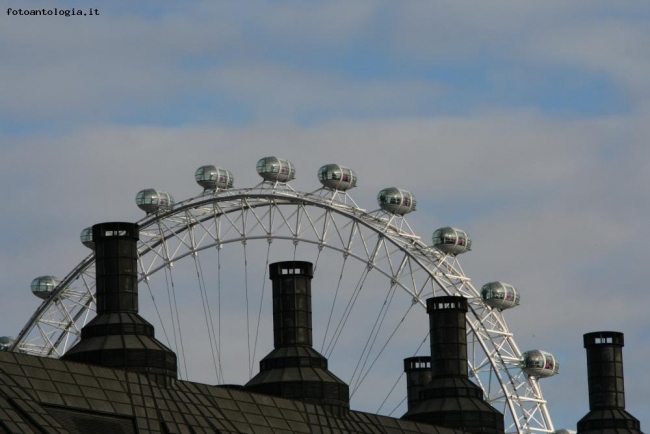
118	337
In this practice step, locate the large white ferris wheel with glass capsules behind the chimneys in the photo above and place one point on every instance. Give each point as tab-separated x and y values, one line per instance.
203	277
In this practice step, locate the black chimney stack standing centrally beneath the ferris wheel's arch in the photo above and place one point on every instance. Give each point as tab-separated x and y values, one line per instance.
294	369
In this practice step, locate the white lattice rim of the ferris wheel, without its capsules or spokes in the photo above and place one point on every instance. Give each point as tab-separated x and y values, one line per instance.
65	311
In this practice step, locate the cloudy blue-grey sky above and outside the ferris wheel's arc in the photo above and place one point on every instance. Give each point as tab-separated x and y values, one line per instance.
525	123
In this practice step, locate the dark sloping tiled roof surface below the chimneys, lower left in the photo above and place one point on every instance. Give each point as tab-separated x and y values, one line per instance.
48	395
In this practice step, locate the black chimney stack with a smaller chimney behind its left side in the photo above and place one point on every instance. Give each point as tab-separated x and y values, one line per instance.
451	399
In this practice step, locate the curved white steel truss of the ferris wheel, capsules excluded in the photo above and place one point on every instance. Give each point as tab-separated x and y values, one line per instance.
381	242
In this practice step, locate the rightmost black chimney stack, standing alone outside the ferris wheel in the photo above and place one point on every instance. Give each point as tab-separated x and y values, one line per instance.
606	388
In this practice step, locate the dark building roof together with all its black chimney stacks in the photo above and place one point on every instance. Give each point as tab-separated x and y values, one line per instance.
120	379
